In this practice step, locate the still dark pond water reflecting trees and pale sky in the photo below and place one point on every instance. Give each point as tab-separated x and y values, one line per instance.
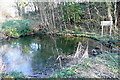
37	54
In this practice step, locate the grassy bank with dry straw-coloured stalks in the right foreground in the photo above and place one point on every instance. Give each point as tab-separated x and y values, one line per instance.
101	66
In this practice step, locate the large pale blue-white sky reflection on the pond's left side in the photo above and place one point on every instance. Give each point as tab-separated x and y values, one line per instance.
14	60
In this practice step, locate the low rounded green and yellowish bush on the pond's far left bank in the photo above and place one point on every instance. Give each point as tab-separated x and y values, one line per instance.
16	28
